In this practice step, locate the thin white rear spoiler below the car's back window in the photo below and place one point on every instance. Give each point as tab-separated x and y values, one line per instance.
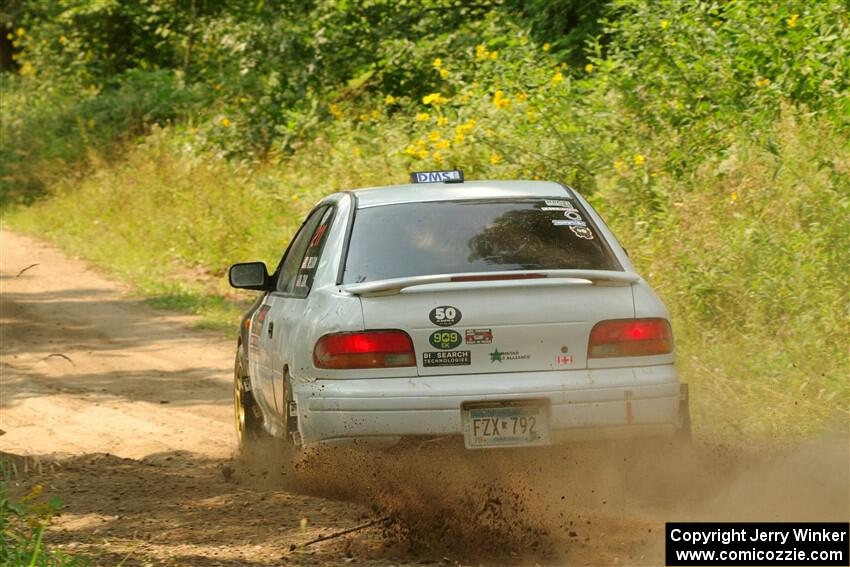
478	280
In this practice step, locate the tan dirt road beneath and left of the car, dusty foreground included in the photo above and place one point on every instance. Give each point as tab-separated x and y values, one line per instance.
127	413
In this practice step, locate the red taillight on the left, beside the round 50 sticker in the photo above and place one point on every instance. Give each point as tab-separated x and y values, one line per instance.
367	349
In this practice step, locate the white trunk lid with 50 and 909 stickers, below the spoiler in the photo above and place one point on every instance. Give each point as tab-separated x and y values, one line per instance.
523	327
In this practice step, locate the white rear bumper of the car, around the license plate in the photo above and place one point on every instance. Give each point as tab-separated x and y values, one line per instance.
584	404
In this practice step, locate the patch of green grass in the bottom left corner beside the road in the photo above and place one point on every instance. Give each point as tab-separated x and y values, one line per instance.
22	525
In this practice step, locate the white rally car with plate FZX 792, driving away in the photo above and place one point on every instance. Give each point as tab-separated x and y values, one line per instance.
501	312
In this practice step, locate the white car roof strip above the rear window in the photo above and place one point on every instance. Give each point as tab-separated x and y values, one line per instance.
425	192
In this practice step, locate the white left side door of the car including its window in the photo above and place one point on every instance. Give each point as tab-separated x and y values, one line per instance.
287	302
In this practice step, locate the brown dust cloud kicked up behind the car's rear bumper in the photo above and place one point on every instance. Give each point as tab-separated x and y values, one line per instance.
589	504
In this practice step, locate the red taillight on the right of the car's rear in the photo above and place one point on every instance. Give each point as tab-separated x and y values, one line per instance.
630	337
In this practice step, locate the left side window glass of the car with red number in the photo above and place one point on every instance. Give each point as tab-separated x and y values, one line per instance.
299	266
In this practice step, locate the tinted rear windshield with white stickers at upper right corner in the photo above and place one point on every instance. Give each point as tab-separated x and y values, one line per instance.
449	237
